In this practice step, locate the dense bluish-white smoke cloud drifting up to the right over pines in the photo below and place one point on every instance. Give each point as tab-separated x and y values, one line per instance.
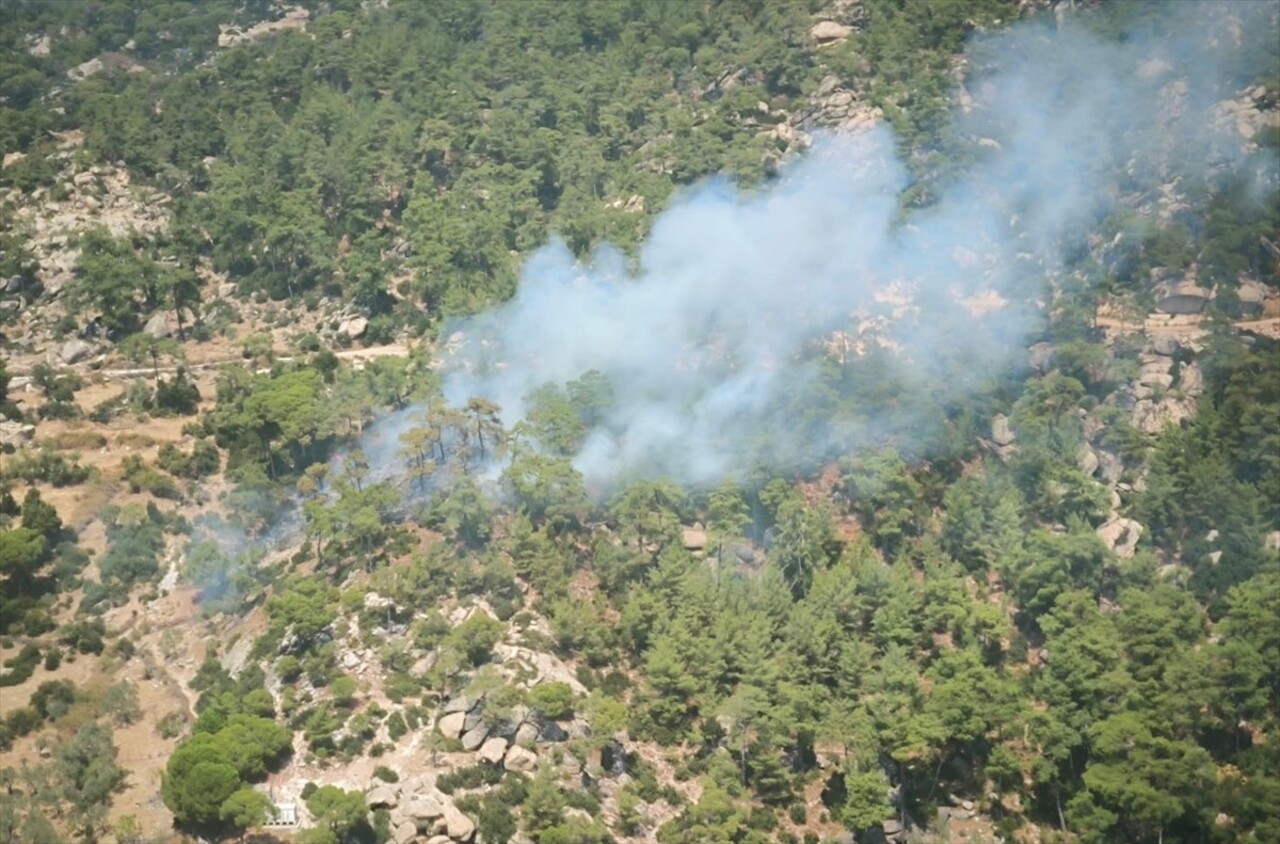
715	330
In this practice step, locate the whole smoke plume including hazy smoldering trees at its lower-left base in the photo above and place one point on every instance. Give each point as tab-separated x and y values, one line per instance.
861	299
